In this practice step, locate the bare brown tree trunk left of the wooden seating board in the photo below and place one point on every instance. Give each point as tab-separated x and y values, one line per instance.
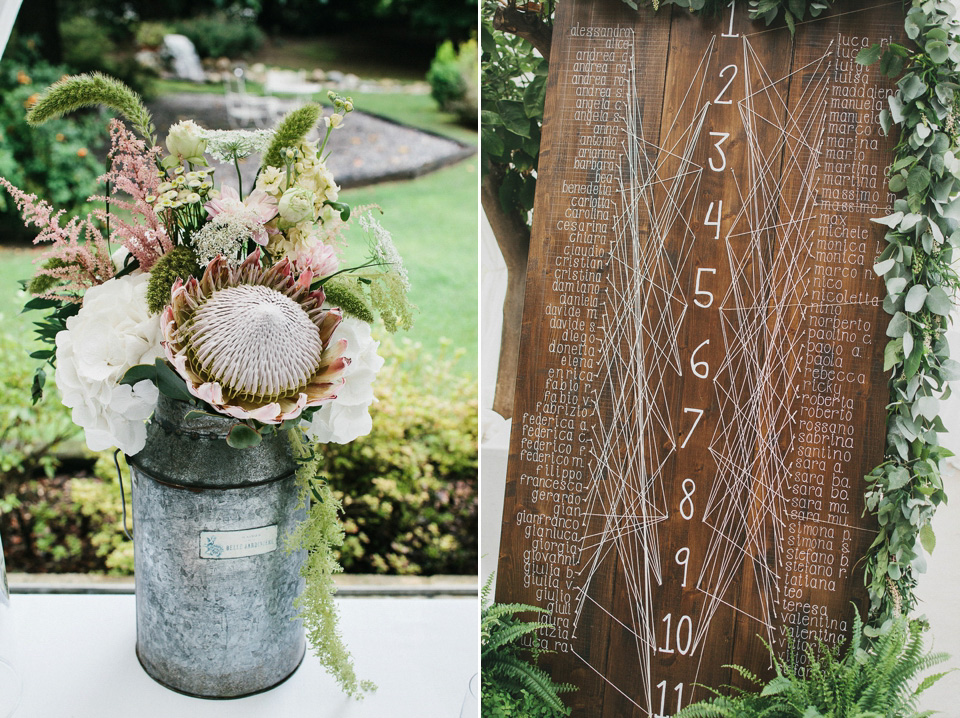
513	238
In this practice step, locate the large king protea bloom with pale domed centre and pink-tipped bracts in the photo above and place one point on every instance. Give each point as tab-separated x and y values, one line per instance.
254	343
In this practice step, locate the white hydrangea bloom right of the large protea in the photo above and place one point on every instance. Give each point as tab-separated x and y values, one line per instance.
348	416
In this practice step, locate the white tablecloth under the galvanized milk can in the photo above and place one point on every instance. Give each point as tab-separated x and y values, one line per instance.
76	656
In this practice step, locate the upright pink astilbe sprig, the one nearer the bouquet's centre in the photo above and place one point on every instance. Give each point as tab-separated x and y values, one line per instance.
133	177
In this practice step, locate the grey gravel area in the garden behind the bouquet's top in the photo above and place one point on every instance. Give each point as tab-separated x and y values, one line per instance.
365	150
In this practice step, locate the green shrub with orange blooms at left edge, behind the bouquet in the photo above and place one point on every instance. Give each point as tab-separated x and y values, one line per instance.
57	161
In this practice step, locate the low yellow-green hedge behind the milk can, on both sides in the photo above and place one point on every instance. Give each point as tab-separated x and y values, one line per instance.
409	489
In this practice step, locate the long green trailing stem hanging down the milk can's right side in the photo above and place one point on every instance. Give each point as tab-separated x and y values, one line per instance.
319	535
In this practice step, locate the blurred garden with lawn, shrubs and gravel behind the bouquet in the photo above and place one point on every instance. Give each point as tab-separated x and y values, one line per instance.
410	488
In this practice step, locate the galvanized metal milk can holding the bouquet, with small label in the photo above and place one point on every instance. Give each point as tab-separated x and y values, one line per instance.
215	588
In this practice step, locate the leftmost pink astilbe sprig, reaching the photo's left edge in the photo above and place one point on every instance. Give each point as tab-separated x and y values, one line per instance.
79	246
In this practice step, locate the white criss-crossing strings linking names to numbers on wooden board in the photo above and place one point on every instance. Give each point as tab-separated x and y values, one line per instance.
762	315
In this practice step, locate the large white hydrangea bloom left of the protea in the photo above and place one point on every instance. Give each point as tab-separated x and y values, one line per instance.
112	332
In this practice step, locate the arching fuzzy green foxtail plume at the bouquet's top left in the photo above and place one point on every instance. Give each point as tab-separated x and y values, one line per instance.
77	91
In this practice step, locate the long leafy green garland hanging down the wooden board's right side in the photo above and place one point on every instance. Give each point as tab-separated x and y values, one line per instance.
906	488
